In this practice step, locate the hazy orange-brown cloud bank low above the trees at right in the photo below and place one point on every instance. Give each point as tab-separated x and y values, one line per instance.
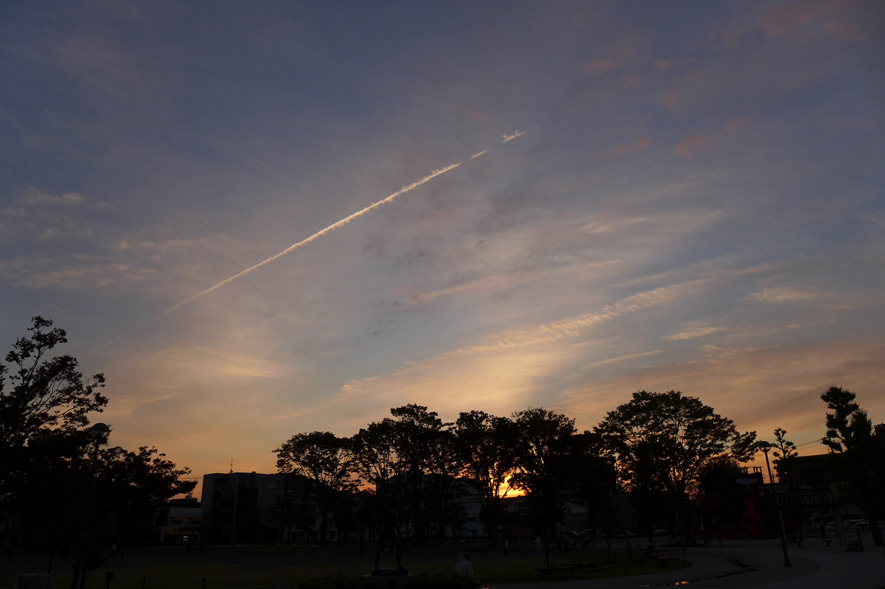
760	387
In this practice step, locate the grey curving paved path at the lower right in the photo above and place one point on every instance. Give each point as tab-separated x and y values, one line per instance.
815	566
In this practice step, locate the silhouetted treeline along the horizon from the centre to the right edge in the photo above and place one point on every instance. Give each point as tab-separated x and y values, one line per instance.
668	450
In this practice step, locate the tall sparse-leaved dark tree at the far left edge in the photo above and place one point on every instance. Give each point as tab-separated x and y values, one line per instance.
43	395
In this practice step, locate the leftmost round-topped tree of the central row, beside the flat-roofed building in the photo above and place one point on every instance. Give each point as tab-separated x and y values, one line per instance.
327	462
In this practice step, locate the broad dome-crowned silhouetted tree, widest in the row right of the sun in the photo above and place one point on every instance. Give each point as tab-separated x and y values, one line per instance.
663	441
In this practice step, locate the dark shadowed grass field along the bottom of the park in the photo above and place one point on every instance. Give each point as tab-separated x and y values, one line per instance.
241	567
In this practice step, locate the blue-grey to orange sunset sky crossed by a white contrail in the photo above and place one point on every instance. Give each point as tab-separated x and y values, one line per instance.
580	200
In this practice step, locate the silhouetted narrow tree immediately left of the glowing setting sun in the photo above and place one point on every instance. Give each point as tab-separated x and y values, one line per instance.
487	446
